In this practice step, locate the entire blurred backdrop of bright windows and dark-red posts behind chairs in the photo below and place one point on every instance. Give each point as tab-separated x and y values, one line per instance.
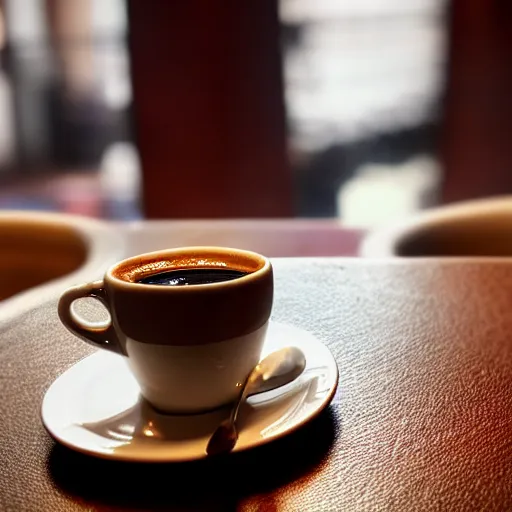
362	110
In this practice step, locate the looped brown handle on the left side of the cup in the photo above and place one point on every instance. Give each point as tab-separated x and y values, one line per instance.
98	335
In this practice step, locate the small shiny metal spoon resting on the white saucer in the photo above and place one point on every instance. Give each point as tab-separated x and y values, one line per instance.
277	369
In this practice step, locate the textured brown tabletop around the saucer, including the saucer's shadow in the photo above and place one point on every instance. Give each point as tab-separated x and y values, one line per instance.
422	419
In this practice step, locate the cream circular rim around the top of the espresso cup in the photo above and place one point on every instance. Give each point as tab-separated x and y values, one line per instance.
221	250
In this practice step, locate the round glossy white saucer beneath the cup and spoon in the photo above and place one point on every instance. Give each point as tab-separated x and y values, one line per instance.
95	407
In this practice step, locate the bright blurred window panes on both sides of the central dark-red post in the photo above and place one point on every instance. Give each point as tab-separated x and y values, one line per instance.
363	82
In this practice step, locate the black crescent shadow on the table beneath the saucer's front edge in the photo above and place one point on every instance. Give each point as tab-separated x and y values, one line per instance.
217	483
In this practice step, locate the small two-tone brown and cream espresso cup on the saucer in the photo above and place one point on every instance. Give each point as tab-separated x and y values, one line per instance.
189	347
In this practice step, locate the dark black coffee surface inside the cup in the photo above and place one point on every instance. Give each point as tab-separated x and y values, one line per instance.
192	276
